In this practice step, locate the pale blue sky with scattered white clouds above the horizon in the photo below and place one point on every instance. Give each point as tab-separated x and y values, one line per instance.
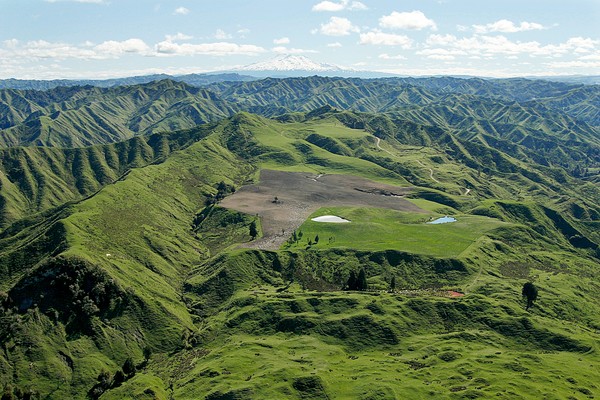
98	39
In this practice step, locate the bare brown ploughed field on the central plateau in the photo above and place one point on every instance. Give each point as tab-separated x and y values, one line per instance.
284	200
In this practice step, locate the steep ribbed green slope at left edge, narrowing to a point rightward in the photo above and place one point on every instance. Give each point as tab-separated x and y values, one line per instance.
36	179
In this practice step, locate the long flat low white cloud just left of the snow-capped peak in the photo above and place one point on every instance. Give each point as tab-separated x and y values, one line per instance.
167	48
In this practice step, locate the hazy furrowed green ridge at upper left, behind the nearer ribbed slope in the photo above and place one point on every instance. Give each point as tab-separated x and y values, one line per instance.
83	116
